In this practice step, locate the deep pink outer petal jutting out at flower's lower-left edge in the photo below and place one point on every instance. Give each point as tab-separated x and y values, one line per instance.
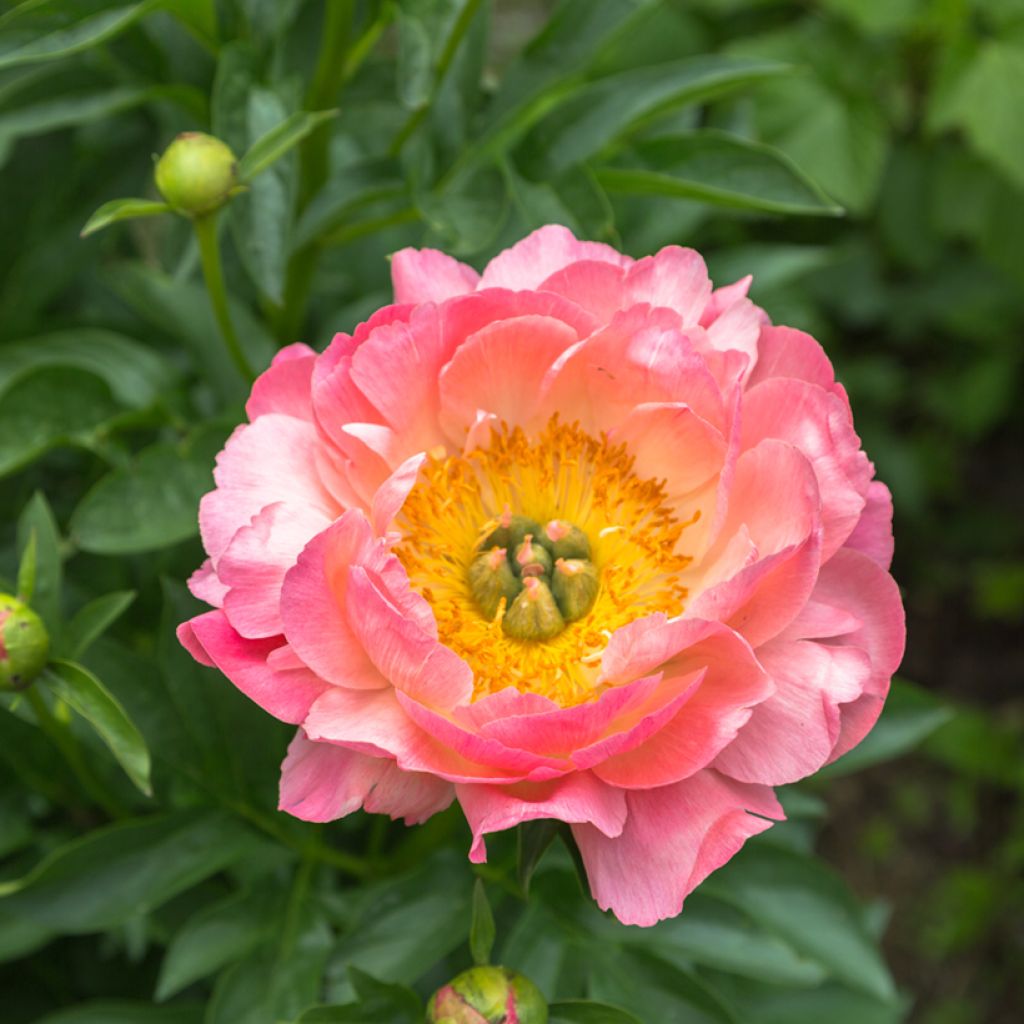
287	695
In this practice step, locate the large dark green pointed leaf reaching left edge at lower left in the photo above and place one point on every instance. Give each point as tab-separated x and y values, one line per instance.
118	873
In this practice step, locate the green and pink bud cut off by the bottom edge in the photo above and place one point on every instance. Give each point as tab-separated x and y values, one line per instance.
488	996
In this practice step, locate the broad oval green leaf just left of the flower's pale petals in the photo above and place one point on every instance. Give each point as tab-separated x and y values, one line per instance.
152	505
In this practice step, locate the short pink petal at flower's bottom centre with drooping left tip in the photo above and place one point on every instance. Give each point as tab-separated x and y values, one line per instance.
578	798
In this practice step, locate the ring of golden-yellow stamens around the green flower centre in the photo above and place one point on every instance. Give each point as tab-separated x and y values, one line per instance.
563	474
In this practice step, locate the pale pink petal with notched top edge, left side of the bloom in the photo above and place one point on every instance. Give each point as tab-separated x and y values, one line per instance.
257	561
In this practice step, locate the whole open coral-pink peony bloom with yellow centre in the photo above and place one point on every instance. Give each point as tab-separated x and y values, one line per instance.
580	538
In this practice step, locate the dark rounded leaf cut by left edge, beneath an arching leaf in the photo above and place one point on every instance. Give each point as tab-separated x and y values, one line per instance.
50	408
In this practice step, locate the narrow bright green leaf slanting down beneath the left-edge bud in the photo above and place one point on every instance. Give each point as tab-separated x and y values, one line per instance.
88	696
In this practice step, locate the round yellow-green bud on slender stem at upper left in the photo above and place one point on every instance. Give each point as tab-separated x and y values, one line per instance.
197	174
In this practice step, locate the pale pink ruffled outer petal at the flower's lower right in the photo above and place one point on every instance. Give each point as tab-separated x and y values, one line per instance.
792	735
